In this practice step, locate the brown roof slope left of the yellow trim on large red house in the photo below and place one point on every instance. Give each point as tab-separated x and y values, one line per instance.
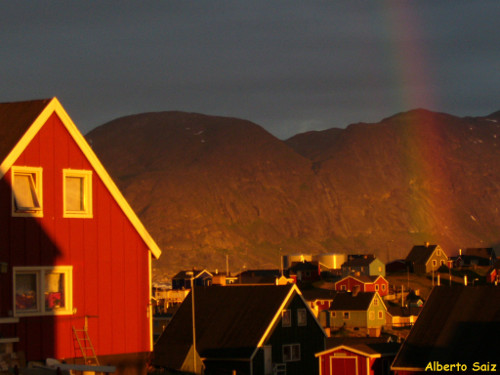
15	119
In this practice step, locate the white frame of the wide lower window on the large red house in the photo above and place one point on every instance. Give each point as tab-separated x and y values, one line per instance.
40	287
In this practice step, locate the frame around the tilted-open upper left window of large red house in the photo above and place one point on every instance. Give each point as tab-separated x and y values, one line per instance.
35	174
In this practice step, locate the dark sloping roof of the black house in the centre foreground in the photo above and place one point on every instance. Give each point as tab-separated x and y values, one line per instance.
230	321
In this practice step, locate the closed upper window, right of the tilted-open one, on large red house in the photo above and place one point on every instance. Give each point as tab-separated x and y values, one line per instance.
77	193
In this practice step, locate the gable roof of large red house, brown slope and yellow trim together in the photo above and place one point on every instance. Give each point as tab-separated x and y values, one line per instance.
19	124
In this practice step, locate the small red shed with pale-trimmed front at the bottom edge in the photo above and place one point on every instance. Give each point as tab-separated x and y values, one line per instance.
360	359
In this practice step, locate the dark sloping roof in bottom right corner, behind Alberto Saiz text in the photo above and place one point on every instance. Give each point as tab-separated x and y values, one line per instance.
457	324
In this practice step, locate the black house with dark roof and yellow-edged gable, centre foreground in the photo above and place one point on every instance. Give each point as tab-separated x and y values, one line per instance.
242	329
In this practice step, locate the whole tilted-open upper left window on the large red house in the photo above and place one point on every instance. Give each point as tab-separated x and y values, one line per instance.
27	191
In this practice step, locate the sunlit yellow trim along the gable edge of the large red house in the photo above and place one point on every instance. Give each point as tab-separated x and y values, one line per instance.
55	106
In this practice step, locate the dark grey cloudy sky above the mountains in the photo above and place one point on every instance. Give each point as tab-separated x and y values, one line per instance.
290	66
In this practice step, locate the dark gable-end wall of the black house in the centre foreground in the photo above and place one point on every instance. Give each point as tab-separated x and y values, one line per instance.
310	337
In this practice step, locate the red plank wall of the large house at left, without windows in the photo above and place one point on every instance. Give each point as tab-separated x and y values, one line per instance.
110	260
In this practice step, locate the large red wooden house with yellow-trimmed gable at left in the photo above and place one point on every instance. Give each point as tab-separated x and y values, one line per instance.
72	249
